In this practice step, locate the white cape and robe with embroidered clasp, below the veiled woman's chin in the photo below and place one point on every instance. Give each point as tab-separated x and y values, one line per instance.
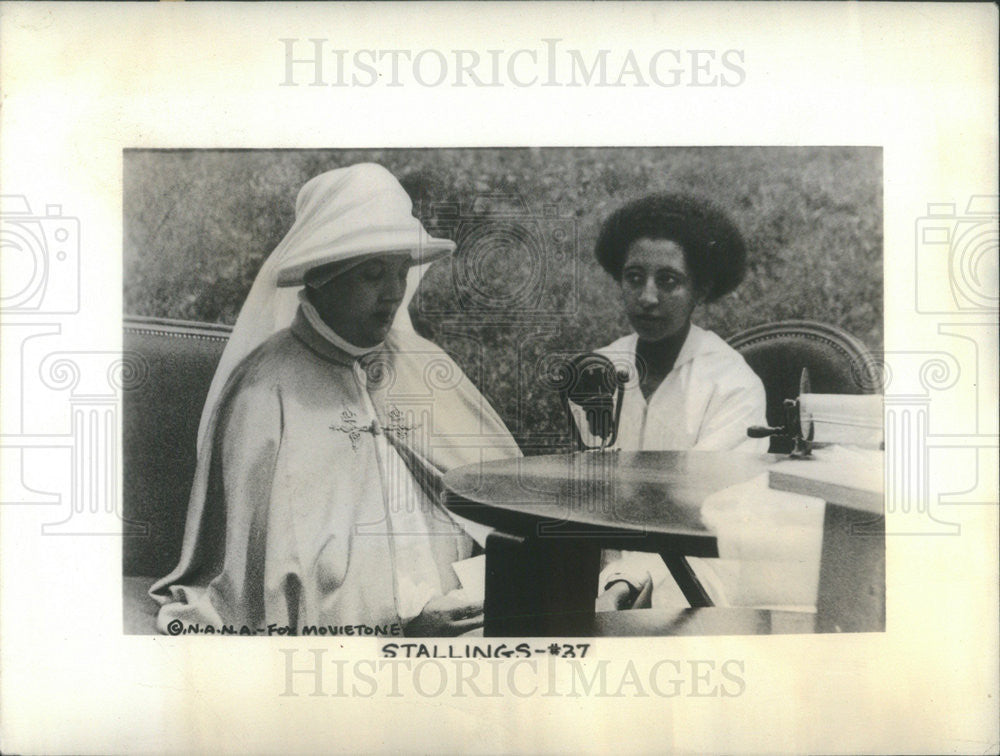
316	500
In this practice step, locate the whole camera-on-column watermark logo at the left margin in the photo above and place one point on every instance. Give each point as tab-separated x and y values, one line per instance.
41	290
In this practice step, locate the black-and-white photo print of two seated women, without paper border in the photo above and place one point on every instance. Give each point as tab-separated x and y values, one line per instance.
509	392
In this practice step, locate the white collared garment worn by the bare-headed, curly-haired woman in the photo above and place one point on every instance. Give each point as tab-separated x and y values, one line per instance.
706	403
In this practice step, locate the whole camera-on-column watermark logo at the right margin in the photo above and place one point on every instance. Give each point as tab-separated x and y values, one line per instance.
956	289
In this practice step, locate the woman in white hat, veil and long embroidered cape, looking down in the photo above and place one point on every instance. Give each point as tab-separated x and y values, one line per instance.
326	429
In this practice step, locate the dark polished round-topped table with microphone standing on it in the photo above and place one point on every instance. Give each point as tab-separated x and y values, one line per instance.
554	514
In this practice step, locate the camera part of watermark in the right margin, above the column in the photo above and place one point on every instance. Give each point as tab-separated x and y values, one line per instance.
956	258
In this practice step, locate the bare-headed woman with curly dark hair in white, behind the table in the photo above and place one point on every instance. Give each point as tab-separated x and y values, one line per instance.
690	390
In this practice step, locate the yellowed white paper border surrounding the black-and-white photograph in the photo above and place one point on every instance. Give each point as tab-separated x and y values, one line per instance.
84	83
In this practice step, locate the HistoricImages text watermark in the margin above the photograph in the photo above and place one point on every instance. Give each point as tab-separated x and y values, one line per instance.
319	62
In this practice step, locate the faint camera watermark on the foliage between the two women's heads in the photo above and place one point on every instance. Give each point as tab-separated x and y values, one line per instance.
509	261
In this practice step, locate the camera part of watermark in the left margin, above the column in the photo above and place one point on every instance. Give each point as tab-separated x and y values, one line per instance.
41	259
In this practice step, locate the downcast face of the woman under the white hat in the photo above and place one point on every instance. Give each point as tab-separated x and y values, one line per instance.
360	304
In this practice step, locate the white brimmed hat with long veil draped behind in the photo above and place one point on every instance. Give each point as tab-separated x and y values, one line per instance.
347	213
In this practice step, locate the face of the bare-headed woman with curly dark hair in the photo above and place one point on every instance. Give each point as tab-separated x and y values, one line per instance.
657	289
